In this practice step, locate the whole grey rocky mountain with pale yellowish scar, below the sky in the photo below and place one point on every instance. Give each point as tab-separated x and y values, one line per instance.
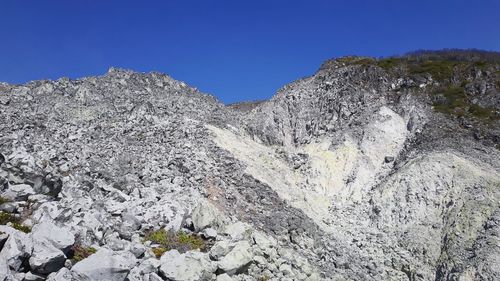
370	169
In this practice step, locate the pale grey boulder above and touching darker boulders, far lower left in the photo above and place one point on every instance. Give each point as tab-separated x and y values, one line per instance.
59	237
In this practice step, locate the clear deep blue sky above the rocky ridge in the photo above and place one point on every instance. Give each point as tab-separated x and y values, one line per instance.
236	50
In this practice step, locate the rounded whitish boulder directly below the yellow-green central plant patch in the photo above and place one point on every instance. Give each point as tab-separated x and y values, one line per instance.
190	266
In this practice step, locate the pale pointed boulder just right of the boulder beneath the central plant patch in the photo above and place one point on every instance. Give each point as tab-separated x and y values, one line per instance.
237	260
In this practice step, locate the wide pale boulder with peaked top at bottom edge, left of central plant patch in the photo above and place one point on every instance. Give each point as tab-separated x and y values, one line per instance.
105	265
